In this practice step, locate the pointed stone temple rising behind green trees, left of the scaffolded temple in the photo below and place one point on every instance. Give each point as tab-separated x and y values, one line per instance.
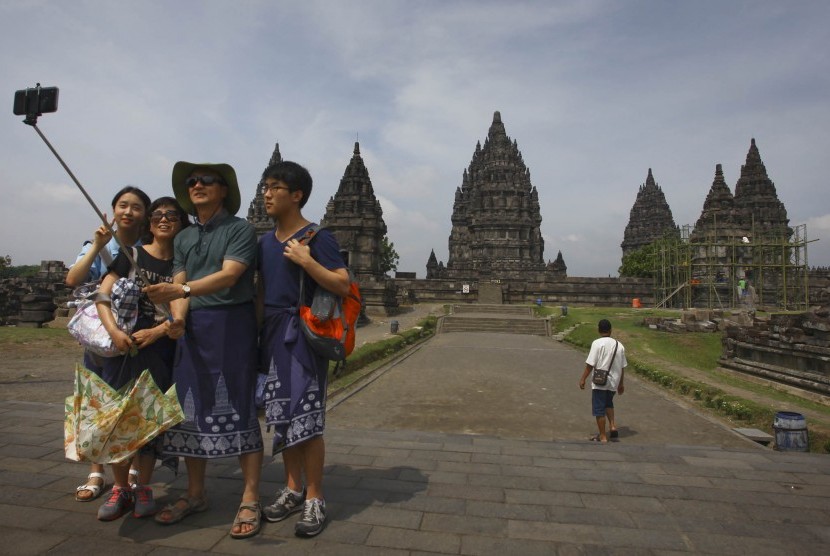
650	218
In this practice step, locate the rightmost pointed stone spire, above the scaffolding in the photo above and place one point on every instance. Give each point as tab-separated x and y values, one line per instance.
758	209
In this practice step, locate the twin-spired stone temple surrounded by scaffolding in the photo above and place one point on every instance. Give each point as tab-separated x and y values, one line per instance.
741	251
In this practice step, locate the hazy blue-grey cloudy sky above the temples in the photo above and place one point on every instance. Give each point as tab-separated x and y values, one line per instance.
594	92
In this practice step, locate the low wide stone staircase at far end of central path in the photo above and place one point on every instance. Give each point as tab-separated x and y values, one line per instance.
503	319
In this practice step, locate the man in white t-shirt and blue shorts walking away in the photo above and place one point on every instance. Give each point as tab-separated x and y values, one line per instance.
606	353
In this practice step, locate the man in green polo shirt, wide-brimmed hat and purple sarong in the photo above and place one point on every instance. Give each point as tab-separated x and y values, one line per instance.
211	301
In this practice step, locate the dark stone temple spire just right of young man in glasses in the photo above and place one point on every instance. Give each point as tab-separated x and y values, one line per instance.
355	217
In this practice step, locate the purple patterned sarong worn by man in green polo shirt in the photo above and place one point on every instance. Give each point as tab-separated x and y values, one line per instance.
215	375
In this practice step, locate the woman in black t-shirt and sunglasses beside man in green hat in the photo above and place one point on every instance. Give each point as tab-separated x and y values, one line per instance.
147	347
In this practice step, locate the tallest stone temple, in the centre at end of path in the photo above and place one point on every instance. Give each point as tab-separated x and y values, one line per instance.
496	218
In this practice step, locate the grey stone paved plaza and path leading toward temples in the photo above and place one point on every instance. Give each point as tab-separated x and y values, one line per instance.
471	444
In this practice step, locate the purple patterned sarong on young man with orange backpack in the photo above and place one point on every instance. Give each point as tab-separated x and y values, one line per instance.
295	390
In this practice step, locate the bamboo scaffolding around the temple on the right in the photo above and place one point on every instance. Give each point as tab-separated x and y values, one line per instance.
719	270
